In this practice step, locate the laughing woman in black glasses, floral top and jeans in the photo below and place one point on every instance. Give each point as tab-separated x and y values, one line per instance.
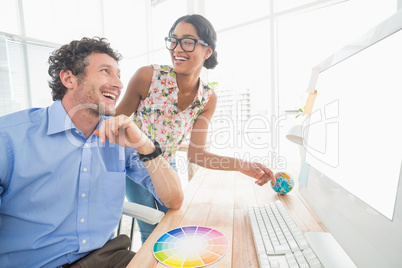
170	102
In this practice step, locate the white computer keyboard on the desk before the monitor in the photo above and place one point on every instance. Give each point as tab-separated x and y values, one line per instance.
278	241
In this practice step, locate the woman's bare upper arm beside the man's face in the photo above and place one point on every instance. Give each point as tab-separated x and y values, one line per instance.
137	90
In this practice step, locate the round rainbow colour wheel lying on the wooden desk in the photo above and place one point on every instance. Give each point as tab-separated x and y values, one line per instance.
190	246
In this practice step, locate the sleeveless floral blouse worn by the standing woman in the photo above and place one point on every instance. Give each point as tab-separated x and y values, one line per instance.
158	115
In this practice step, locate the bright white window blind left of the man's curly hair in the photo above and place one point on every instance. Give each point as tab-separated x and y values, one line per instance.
23	75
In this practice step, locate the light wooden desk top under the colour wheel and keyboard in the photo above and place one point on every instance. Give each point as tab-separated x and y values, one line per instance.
219	200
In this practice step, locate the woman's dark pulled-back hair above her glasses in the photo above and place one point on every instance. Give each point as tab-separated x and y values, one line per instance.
206	32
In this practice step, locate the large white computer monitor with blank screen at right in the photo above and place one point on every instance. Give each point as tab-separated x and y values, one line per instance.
351	175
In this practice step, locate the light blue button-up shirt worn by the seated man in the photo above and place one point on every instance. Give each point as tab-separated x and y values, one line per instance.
61	195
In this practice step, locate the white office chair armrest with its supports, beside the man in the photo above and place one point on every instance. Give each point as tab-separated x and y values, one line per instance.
140	212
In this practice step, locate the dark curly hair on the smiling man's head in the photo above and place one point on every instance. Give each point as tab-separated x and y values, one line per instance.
74	57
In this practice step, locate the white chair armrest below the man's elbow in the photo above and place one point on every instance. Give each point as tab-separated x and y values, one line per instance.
142	213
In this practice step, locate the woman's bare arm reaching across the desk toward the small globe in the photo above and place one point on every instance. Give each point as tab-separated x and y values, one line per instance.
198	155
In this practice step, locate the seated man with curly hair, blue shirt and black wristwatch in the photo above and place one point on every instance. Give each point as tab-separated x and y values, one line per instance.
63	168
